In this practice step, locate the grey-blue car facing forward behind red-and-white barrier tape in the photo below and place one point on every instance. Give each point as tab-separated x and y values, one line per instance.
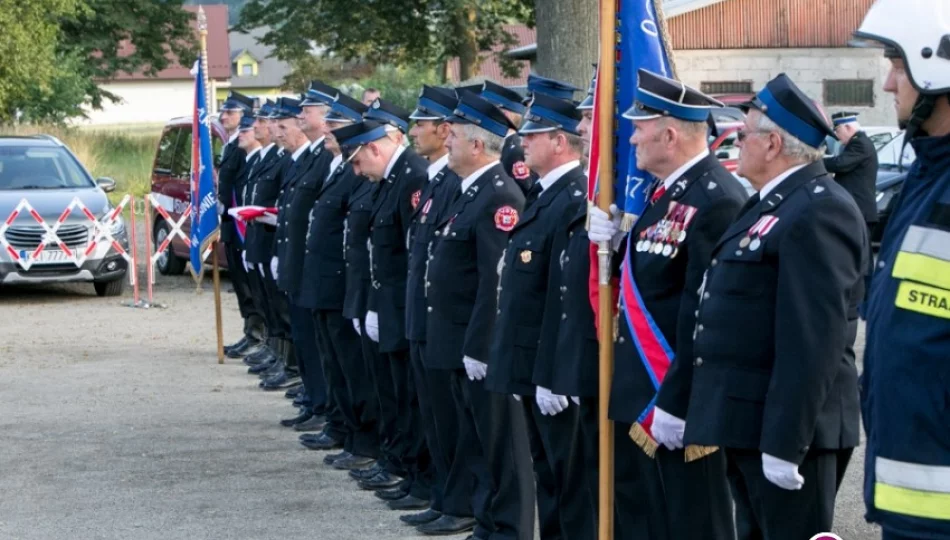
43	171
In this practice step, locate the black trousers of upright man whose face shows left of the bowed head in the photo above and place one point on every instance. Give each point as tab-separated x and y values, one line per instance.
346	378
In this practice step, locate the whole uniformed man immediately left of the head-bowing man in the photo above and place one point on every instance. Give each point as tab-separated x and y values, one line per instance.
322	290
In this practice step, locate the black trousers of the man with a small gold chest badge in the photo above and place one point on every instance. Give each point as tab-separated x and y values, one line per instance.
573	512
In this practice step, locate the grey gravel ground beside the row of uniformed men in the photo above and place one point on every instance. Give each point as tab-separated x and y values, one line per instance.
119	423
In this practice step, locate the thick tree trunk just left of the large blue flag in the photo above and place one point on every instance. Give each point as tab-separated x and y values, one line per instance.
567	40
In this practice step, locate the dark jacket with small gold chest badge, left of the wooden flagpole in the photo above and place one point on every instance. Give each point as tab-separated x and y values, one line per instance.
522	292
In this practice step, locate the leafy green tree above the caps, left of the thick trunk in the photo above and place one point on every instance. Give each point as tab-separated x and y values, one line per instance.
400	32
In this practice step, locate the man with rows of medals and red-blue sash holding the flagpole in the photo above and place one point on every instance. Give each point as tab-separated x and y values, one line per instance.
663	491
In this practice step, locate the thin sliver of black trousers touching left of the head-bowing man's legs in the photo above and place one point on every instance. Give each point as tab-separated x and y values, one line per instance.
381	380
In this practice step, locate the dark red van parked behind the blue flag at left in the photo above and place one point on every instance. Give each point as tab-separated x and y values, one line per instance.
171	187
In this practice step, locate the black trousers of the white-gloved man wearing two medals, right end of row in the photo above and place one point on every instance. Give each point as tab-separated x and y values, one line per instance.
780	514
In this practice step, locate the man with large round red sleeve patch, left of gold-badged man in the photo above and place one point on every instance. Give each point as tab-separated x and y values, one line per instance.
462	295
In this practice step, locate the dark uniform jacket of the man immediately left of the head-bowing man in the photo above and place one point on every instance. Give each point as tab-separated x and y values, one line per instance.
323	282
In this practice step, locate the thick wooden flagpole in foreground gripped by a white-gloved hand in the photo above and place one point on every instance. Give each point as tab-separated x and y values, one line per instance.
606	96
